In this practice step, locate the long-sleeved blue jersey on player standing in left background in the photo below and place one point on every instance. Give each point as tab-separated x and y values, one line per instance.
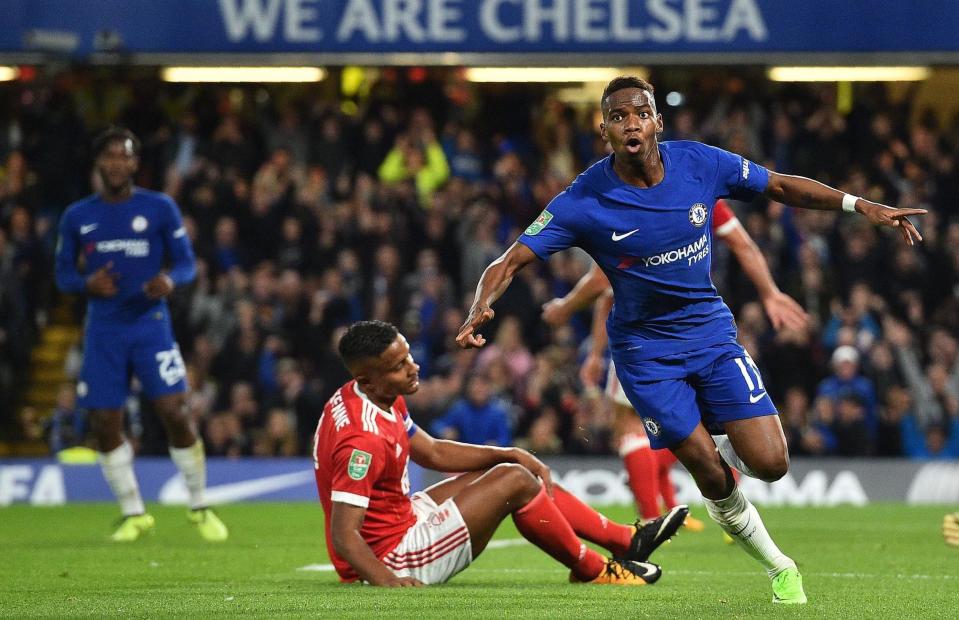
140	236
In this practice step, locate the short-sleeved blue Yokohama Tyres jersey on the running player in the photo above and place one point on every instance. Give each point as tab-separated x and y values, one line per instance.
654	244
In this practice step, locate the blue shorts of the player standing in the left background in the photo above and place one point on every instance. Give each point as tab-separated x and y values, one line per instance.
114	353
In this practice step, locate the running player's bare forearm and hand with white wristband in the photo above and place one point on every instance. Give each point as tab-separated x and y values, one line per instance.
809	194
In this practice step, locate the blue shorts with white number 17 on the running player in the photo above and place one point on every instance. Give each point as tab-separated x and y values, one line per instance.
674	393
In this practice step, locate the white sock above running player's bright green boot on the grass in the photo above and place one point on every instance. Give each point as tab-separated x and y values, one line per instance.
740	519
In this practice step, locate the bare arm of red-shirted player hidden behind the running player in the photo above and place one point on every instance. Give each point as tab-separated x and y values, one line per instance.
783	310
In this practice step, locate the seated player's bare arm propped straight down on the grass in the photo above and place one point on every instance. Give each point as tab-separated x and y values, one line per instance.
345	523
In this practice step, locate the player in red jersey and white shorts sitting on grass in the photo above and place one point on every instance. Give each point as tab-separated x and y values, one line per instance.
376	533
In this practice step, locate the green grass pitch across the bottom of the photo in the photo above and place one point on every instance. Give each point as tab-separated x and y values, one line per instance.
880	561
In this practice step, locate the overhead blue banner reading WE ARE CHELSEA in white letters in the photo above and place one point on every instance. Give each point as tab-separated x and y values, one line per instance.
480	26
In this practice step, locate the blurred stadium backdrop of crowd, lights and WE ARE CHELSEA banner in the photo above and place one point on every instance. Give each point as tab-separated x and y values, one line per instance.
341	160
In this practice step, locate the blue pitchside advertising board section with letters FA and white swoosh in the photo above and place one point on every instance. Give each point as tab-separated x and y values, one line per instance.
49	483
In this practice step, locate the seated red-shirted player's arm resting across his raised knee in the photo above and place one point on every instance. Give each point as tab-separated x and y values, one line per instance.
454	456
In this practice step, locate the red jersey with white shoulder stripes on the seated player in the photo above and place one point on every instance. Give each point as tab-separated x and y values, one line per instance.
360	454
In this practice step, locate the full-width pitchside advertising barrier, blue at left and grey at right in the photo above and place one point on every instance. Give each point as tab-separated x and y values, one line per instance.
599	480
